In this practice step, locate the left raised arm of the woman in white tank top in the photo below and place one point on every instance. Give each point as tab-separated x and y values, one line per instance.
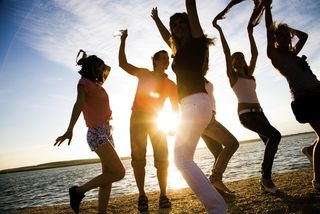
231	74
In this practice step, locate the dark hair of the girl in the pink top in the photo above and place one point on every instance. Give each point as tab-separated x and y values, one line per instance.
89	65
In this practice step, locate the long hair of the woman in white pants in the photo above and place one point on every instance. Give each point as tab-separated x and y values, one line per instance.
175	42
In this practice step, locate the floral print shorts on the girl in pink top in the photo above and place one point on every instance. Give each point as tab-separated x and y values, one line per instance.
99	135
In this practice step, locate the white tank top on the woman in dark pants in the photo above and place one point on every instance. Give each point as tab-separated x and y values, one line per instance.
245	90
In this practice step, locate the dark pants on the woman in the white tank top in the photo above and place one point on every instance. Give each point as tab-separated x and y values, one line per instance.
257	122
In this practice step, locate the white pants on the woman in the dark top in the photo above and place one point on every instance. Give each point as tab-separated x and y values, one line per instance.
195	116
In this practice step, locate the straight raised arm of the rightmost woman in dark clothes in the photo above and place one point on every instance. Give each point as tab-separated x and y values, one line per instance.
269	23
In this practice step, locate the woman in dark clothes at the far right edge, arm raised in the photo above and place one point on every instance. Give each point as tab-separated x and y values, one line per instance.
304	85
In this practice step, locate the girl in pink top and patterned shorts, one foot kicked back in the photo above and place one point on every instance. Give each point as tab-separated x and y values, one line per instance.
93	102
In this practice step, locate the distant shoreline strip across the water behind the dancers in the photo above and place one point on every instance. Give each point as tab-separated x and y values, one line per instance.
68	163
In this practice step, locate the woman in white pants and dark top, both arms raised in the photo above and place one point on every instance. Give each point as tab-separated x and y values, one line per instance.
190	57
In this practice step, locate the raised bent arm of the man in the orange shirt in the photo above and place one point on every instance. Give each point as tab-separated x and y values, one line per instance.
123	63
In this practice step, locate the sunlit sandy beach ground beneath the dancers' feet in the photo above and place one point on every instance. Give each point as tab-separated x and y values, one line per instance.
301	198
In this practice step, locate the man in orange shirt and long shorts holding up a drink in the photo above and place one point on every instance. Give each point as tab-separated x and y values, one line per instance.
152	90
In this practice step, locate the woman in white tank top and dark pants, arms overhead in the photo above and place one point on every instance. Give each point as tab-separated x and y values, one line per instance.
249	110
